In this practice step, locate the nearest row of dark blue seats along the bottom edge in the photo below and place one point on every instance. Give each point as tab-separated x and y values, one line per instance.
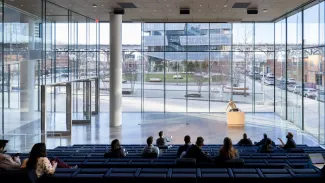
172	175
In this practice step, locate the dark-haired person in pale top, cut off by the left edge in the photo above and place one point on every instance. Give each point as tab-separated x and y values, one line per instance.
8	162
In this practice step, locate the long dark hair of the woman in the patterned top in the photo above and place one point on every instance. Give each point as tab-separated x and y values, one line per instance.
38	151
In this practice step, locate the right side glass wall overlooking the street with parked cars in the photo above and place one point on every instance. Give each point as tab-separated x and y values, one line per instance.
299	68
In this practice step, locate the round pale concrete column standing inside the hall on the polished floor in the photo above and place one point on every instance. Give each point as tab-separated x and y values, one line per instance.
115	70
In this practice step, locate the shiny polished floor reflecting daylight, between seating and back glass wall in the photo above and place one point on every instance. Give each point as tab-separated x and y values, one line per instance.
138	126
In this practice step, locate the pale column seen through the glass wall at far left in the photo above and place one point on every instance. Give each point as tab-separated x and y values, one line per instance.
27	78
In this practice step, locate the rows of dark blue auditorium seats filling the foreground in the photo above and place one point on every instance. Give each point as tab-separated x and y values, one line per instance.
256	167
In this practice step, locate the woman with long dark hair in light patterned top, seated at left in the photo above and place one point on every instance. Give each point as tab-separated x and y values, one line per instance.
38	161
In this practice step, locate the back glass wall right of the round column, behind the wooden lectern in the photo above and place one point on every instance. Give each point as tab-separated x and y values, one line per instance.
199	67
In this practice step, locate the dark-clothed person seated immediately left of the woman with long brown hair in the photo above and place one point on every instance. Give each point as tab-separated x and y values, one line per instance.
195	151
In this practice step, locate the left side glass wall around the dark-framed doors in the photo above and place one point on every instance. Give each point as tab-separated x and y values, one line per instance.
51	46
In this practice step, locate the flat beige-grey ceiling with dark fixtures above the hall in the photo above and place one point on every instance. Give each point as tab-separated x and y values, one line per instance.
166	10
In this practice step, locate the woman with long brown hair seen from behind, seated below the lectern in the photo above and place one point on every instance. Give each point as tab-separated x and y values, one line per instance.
227	151
